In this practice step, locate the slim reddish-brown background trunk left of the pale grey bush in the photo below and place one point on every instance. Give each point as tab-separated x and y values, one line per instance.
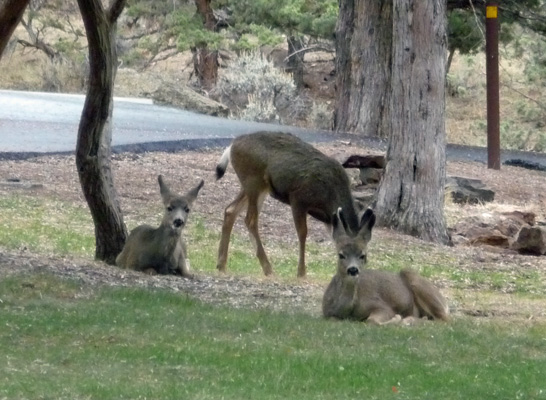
205	61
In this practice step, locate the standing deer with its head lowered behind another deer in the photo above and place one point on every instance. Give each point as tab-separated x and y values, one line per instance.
291	171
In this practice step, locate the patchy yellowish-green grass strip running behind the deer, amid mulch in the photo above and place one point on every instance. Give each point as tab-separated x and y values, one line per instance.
49	226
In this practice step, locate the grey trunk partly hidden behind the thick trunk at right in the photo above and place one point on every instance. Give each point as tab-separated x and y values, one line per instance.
363	65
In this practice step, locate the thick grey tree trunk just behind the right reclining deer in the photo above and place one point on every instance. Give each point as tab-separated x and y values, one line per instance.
411	194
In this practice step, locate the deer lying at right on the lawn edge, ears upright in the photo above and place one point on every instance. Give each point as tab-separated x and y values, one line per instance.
379	297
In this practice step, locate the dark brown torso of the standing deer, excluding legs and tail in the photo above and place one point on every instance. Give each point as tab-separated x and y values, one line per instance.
296	173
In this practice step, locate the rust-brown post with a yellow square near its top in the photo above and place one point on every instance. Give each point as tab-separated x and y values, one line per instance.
492	70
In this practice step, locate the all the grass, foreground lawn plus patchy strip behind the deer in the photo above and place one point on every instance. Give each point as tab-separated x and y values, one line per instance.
61	339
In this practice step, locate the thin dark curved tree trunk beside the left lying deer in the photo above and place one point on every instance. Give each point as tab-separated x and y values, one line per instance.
95	130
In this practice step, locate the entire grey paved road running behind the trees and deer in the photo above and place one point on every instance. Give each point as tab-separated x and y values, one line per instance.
33	122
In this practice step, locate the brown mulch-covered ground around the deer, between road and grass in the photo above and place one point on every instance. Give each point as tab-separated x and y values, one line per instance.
136	183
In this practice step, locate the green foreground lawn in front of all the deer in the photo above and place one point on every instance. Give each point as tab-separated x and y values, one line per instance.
61	340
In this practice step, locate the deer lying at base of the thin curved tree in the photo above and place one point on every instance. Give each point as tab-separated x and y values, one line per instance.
161	250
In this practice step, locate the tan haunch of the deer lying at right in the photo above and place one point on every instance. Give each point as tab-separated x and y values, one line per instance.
427	297
